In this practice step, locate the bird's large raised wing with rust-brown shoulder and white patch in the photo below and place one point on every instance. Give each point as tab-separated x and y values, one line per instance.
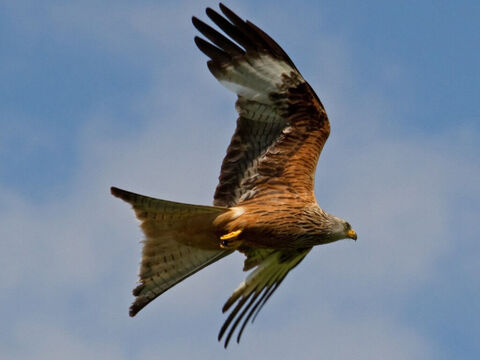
282	125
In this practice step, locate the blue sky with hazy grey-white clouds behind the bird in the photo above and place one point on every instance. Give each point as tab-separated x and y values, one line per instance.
102	93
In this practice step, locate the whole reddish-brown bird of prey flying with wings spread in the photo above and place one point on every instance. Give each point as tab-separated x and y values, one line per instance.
264	204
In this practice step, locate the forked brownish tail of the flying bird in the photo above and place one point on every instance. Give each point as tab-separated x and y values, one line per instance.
180	240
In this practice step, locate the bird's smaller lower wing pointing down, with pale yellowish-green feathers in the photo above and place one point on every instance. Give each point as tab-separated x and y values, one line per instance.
271	268
